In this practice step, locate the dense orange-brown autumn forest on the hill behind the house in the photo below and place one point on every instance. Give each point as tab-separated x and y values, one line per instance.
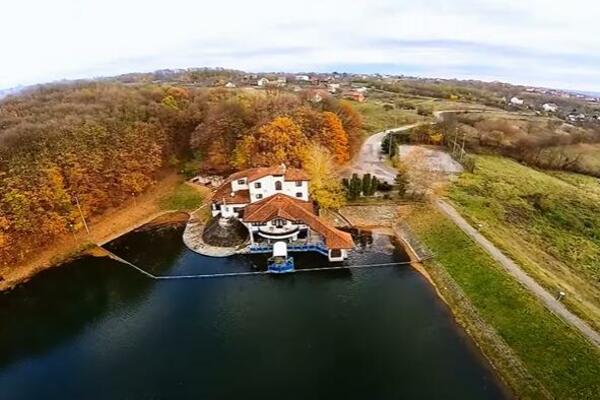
68	151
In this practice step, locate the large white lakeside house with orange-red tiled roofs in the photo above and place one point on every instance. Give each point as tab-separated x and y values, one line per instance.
274	204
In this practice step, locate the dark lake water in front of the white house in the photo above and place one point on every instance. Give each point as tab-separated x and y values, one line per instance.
98	329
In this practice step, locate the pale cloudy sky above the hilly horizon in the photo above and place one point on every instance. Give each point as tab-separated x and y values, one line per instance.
546	43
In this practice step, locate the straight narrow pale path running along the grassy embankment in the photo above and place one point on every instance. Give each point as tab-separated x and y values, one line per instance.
549	301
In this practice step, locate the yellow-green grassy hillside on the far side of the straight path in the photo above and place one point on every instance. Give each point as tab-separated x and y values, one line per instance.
549	224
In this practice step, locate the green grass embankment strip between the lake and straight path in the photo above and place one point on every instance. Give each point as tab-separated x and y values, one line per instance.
554	354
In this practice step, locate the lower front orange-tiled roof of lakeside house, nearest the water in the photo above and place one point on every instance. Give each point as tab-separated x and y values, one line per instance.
283	206
